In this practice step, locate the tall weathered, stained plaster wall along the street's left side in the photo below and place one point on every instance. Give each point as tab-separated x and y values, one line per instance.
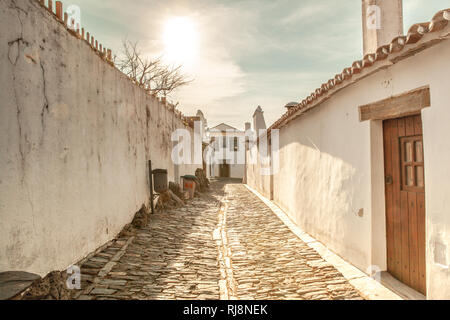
75	137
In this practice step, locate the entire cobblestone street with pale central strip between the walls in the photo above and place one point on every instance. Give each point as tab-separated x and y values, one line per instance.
226	244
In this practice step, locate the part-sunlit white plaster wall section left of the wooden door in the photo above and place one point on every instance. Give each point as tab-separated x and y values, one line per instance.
324	178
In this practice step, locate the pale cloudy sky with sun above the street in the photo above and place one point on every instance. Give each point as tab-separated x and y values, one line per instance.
242	53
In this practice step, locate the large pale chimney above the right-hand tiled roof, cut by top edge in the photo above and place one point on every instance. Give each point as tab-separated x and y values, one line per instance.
382	22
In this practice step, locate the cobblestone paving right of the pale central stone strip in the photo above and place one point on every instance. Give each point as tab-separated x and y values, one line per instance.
270	262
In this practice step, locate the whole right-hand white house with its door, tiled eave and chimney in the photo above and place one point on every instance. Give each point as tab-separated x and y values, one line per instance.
363	159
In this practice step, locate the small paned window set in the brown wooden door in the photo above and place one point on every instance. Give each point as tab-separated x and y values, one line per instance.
412	164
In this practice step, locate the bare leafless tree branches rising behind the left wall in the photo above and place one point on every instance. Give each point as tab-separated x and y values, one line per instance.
150	74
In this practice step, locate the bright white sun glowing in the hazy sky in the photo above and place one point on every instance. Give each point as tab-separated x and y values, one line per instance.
180	40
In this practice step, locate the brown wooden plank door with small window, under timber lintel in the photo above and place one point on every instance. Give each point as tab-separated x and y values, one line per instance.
405	200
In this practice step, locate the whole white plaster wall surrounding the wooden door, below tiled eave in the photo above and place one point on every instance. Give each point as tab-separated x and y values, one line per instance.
330	168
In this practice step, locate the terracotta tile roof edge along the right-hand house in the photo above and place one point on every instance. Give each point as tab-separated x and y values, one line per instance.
415	33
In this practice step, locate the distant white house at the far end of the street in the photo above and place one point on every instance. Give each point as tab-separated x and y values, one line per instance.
226	142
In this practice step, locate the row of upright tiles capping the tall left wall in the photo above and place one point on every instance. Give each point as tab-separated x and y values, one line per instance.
104	53
